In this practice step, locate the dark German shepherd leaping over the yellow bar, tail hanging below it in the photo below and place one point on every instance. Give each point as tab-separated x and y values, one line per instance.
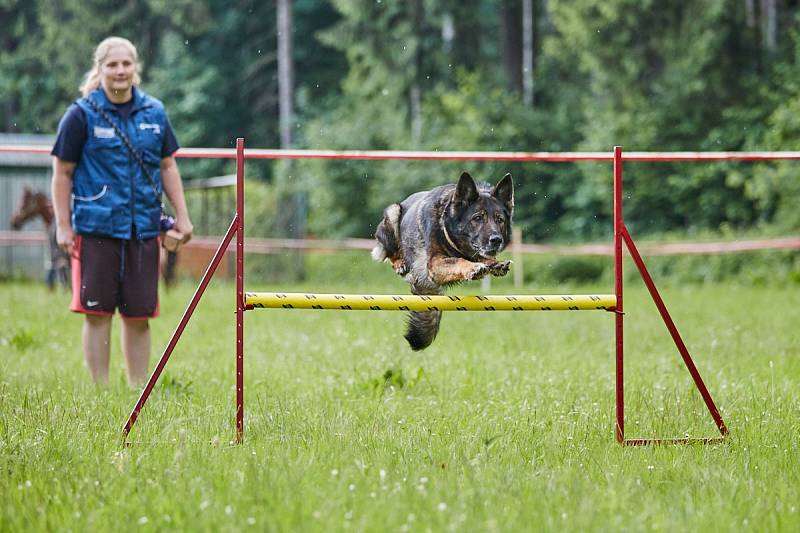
445	236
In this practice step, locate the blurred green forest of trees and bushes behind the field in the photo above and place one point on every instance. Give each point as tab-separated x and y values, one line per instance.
510	75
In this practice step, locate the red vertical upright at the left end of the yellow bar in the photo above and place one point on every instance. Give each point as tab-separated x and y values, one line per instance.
240	290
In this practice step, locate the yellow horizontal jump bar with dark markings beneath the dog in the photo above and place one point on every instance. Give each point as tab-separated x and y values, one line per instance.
393	302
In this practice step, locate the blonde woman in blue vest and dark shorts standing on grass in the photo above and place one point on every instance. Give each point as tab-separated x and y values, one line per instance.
112	158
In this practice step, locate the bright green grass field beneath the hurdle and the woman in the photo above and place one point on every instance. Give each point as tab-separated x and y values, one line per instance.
504	424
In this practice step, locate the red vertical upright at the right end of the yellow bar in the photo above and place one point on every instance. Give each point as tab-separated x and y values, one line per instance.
618	227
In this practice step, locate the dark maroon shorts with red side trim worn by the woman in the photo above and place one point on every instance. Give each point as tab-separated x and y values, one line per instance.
112	273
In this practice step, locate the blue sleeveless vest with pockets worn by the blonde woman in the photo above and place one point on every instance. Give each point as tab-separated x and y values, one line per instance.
112	196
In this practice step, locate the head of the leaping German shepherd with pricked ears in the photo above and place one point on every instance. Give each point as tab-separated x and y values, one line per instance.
478	218
